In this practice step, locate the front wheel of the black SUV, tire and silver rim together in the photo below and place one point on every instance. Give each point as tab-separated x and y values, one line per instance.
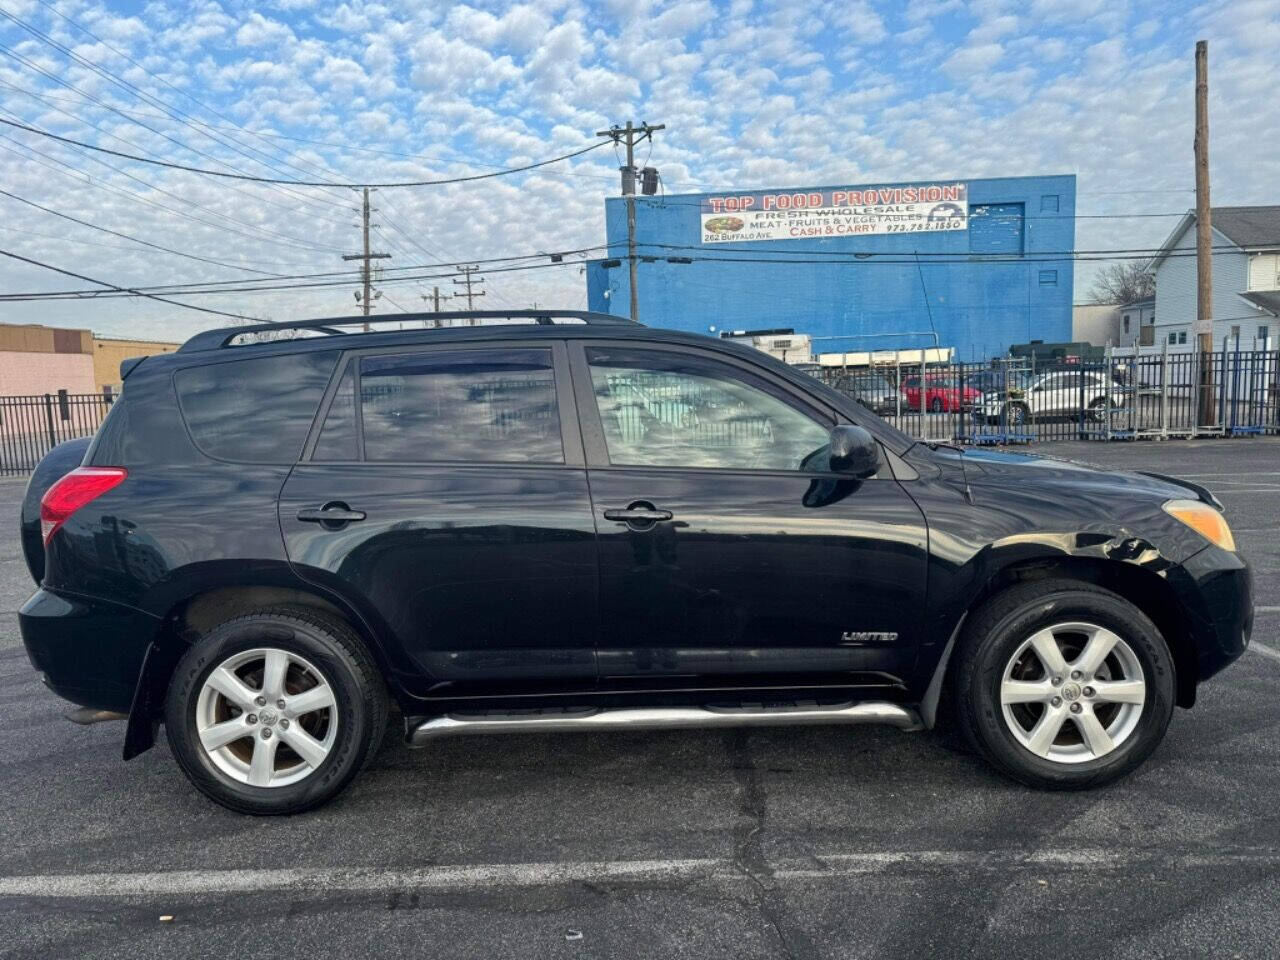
1064	685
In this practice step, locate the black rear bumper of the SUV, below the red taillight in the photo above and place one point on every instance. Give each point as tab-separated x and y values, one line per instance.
88	651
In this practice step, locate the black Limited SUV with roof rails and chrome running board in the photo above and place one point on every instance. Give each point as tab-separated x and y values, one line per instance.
566	522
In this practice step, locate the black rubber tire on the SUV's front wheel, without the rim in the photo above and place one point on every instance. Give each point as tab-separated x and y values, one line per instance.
993	637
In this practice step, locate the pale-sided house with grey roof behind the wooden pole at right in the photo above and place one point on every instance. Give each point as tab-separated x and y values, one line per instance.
1246	280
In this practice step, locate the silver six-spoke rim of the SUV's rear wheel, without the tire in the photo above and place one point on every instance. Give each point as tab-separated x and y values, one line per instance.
267	717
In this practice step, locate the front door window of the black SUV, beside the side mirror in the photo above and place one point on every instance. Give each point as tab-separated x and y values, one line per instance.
674	410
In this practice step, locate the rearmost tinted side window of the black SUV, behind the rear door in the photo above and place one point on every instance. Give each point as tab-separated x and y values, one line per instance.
254	412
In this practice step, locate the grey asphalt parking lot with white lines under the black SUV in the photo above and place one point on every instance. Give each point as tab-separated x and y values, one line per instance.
825	843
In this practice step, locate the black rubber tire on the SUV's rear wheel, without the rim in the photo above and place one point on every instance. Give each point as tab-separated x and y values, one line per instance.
336	652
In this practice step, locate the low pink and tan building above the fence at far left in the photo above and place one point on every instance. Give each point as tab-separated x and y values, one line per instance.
36	360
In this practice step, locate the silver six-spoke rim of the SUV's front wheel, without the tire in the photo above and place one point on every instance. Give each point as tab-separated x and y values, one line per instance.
1073	693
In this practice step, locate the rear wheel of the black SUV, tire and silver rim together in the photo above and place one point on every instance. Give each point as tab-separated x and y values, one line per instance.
276	712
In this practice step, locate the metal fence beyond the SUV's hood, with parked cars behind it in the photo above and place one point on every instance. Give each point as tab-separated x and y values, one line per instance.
1121	396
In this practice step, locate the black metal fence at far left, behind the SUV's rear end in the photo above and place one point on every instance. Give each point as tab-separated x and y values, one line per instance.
30	427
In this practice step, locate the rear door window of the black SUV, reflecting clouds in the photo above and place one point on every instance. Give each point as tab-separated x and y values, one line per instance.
469	405
